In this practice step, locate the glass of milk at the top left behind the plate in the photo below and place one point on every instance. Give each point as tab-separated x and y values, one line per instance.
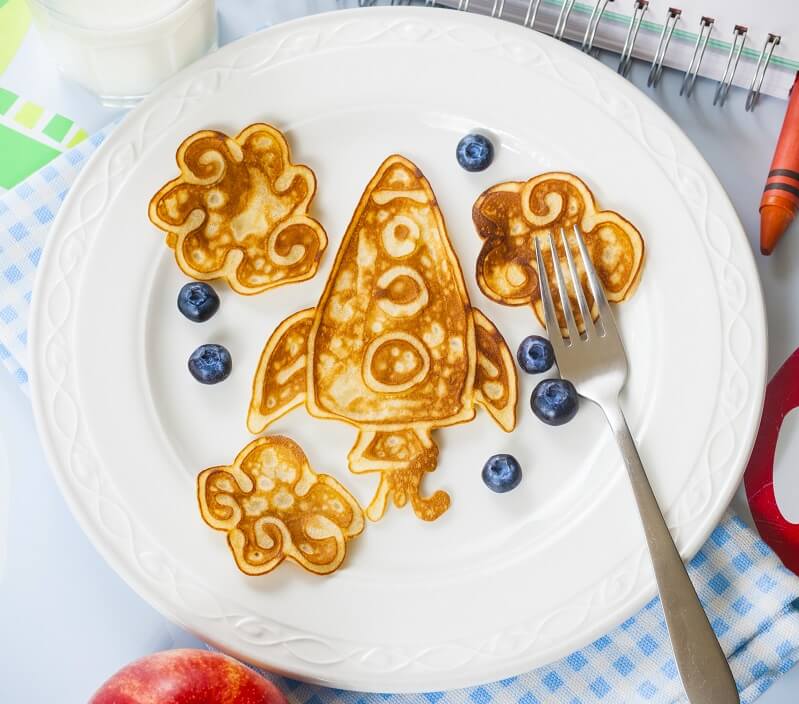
121	49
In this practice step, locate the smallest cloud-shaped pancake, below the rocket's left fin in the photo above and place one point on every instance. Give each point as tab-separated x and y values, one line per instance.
273	506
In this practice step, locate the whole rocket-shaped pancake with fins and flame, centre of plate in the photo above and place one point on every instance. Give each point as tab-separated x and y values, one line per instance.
393	347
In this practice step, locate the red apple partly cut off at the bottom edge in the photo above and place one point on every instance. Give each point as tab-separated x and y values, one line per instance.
187	676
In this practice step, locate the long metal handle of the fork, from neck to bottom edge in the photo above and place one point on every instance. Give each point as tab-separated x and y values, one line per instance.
700	660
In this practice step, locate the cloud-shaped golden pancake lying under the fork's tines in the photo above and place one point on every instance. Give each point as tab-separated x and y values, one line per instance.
509	216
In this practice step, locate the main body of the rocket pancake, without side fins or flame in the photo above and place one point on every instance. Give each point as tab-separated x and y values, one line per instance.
394	340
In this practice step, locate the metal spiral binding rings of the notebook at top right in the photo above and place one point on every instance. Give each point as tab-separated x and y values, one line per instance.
496	9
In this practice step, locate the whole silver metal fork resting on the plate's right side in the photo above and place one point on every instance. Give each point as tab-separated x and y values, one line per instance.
597	366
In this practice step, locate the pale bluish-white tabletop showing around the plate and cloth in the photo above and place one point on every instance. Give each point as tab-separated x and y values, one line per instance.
67	621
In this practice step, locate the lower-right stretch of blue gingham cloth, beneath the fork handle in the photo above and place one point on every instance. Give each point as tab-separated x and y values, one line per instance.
750	598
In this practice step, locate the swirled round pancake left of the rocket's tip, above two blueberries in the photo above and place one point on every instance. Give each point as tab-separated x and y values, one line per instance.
238	211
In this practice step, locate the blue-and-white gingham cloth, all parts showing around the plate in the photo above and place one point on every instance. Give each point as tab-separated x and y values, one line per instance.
751	599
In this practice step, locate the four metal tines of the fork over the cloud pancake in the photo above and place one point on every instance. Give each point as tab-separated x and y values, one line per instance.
598	293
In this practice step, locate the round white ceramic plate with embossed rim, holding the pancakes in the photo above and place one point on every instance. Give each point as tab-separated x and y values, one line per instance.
501	583
